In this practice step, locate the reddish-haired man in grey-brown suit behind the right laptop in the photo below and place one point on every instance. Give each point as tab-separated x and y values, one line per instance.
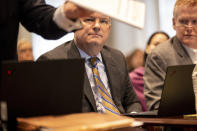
179	50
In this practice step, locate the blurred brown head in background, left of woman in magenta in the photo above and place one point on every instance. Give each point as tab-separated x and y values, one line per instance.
135	59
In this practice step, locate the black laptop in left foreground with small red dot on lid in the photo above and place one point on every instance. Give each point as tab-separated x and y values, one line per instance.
42	88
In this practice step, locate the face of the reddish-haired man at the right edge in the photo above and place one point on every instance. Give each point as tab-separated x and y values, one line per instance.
185	24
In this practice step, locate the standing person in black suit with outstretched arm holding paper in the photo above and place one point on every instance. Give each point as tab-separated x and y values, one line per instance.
38	17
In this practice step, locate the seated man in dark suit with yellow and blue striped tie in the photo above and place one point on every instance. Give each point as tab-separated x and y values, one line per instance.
107	87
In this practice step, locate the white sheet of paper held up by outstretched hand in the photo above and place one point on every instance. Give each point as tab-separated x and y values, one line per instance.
131	12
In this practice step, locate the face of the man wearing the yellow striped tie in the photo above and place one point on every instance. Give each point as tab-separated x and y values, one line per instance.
93	35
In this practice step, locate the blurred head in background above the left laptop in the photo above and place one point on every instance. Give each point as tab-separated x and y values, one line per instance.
24	51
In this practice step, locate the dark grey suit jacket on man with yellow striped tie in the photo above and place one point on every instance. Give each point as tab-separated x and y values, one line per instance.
122	92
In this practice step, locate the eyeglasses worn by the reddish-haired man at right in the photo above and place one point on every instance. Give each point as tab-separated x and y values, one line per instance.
186	23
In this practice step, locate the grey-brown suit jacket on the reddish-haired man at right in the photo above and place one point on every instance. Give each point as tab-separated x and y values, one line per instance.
166	54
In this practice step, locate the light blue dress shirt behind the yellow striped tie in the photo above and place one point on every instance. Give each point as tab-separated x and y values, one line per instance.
103	76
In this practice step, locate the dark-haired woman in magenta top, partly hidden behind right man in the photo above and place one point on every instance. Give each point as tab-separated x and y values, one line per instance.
136	76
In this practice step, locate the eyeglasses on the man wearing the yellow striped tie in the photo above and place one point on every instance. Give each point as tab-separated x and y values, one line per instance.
92	20
